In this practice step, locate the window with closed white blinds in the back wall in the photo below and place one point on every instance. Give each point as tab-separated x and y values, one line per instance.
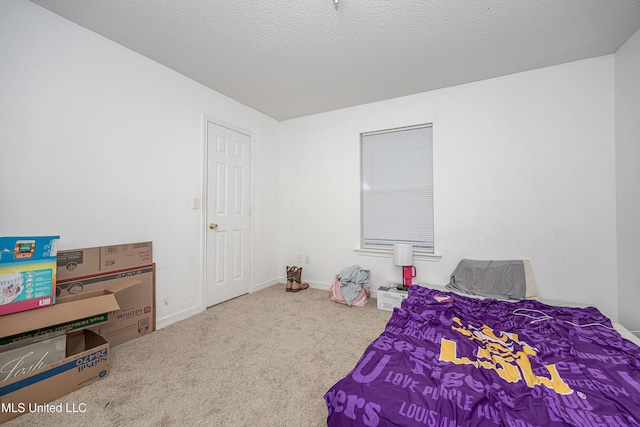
397	188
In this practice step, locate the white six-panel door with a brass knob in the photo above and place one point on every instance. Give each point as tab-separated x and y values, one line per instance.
228	227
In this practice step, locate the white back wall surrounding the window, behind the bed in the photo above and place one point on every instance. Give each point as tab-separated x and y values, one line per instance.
524	167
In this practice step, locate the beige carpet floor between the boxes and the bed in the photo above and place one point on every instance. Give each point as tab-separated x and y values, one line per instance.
263	359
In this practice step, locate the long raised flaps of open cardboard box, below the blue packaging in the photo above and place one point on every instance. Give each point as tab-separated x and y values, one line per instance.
70	312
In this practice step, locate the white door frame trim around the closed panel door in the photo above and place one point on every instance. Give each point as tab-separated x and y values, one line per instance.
204	198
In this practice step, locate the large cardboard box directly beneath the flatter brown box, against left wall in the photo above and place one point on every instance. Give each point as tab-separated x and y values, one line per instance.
136	315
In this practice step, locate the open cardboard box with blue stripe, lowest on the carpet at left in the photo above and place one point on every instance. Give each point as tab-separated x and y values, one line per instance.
87	361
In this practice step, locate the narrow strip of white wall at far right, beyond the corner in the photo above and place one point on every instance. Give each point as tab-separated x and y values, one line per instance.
628	179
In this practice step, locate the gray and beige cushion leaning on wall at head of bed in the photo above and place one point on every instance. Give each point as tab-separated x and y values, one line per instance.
493	279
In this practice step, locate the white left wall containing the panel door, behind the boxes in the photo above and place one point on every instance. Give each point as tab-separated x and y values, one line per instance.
103	146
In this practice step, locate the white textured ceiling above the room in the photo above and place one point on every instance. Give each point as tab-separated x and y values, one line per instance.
290	58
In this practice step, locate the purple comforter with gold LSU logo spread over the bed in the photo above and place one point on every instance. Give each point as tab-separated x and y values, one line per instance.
447	360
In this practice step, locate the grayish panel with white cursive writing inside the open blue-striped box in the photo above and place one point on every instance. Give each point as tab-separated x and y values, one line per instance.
21	357
